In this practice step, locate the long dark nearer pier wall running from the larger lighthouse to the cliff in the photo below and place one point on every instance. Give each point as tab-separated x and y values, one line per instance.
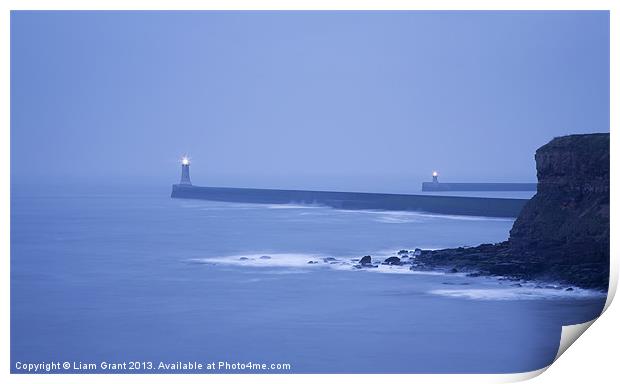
448	205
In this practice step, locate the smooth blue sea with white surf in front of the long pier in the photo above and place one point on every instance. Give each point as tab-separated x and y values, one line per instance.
142	277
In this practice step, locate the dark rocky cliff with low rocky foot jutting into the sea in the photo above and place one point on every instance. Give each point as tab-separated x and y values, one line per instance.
562	233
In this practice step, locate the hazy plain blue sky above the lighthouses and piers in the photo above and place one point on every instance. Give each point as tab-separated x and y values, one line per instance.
365	101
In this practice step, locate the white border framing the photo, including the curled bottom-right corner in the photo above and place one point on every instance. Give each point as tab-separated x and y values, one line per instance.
595	357
